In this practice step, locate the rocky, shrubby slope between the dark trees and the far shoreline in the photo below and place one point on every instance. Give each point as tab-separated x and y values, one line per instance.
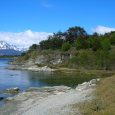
82	59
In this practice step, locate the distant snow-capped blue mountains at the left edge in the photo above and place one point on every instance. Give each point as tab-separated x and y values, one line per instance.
9	50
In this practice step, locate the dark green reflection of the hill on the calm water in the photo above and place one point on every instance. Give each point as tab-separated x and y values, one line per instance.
57	78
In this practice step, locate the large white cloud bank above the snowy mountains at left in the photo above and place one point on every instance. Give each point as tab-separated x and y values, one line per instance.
23	39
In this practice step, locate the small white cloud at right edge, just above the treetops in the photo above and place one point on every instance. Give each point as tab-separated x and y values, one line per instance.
103	29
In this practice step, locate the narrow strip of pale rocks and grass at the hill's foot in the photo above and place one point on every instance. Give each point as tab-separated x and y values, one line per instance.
59	69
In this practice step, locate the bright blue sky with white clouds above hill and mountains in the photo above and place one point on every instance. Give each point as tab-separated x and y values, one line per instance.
24	22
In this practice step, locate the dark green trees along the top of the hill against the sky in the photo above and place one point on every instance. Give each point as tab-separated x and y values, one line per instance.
76	37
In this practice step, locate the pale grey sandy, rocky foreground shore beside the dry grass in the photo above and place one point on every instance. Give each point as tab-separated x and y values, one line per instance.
48	101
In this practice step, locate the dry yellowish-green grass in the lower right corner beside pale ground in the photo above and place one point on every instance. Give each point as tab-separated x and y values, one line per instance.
104	102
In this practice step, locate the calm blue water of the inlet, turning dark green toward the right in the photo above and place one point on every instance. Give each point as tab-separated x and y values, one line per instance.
26	79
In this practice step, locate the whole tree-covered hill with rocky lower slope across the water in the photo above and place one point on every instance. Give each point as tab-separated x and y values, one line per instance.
73	49
